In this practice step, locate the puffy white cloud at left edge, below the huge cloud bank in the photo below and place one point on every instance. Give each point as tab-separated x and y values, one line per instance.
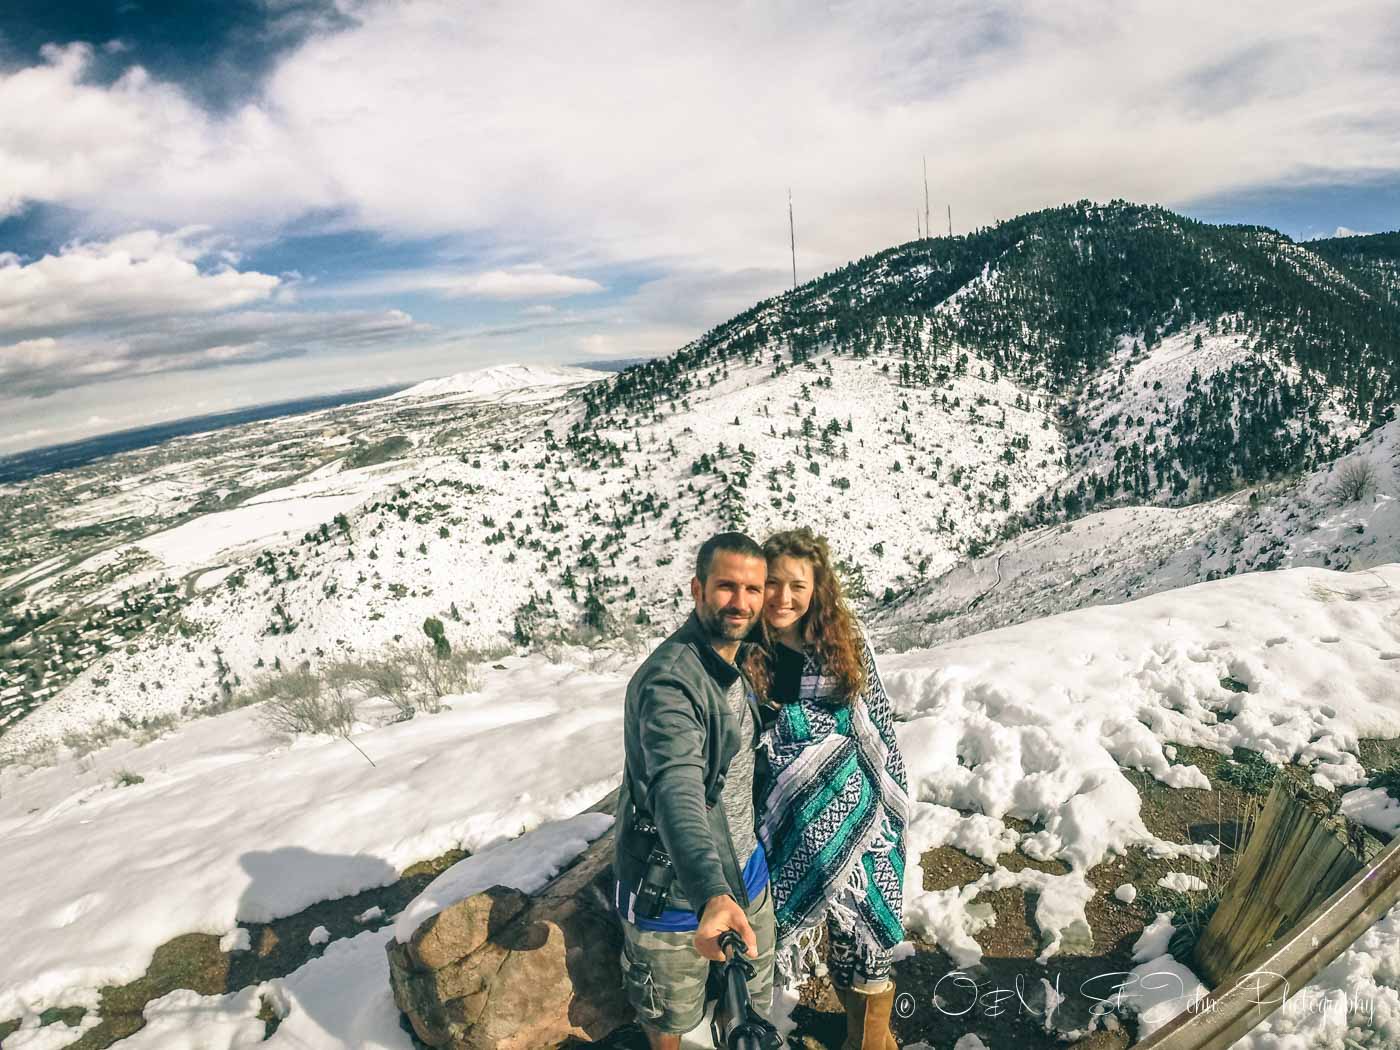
135	276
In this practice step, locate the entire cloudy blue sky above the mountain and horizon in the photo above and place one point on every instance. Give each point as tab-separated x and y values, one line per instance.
206	206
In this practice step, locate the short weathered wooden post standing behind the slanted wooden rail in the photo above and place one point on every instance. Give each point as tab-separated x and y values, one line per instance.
1297	857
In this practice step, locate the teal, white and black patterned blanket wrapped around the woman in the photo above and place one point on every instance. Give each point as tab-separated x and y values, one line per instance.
834	820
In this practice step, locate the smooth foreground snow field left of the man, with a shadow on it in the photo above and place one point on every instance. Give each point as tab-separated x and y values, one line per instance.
260	829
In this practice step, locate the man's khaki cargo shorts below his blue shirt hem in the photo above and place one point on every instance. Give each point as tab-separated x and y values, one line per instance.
666	975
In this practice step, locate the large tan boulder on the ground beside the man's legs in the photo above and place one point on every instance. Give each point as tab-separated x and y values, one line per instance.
503	971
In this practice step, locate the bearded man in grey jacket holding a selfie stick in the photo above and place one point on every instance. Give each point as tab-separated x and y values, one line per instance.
691	730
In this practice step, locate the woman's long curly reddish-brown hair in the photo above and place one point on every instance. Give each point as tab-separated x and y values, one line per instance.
828	626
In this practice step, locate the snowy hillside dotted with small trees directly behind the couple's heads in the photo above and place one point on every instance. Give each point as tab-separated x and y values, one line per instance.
486	528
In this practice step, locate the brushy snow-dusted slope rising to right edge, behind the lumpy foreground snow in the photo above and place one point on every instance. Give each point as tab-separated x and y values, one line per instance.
1111	556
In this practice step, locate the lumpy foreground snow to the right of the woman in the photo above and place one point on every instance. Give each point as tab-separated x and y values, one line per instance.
1034	722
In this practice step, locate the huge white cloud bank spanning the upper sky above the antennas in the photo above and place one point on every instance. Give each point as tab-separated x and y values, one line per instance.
575	135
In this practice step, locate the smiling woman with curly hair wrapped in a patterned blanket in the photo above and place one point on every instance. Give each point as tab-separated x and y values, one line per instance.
834	799
